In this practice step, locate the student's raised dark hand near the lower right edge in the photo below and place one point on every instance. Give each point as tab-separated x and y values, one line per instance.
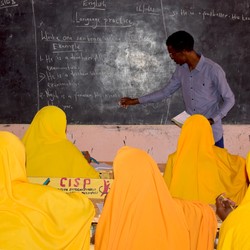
224	206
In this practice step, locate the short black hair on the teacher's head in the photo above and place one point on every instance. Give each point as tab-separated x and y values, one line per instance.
181	40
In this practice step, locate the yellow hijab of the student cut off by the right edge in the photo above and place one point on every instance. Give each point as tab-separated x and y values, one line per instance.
234	233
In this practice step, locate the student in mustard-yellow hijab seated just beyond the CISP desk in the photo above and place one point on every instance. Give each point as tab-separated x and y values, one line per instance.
49	152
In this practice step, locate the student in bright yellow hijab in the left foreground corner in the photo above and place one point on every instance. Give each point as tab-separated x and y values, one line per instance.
34	216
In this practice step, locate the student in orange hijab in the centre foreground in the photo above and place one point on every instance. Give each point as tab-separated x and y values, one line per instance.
140	214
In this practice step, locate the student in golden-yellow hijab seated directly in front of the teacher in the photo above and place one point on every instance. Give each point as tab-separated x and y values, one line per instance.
199	170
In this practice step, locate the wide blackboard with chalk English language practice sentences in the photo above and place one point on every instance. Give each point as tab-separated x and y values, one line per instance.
84	55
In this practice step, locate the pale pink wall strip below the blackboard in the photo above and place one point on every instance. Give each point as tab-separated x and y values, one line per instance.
103	141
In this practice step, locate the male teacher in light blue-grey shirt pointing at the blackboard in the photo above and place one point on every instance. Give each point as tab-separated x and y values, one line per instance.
204	85
